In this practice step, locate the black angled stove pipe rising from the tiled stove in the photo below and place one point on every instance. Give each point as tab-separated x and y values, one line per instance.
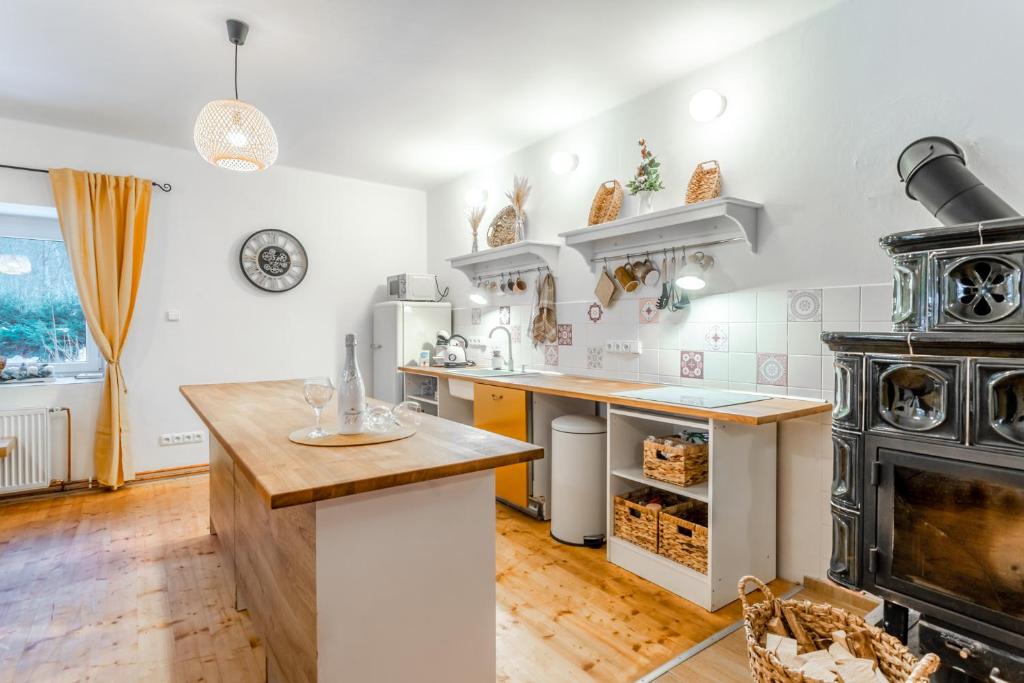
936	175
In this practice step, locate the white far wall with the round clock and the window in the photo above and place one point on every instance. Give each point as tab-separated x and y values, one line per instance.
356	234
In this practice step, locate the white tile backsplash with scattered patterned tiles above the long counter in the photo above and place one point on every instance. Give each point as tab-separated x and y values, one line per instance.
753	323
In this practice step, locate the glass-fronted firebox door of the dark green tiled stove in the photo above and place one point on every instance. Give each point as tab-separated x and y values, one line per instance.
950	536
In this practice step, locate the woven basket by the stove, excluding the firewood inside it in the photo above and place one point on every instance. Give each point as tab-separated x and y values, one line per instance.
822	620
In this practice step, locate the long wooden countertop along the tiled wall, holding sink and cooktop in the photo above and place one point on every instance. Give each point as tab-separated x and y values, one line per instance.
602	391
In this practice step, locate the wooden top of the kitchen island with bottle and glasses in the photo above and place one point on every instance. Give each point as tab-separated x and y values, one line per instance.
253	420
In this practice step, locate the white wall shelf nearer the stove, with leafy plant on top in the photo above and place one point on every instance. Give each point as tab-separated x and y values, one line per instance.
724	219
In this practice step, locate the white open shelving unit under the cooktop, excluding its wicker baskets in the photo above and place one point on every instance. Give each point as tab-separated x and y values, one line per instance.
740	494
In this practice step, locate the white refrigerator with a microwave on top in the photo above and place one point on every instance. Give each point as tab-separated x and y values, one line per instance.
402	330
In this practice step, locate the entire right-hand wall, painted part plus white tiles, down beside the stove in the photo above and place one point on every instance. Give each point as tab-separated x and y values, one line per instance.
817	119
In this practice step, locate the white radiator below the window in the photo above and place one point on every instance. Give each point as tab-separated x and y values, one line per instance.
30	465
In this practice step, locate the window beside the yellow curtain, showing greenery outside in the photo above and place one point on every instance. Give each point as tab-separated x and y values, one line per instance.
41	319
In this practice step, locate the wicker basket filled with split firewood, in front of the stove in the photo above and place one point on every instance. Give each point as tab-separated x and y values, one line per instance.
798	642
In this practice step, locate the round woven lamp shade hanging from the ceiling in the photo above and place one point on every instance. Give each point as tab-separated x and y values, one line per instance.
233	135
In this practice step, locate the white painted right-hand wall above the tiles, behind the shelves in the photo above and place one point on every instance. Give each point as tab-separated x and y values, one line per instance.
817	118
